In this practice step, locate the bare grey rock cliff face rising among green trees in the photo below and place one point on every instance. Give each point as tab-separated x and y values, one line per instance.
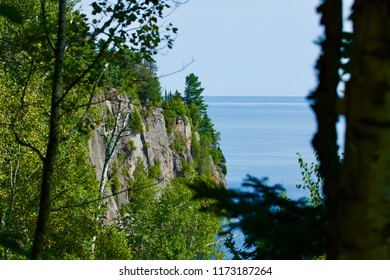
153	146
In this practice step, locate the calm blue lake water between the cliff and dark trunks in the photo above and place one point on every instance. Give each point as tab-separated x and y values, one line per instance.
261	136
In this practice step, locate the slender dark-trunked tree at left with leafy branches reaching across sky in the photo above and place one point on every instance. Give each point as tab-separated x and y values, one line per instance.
115	33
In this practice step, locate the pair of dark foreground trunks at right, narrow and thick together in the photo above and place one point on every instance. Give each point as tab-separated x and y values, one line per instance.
357	191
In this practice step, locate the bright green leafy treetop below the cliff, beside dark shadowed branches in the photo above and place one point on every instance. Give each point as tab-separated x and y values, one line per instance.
172	225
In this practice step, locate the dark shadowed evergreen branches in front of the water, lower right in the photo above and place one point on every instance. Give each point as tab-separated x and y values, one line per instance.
274	226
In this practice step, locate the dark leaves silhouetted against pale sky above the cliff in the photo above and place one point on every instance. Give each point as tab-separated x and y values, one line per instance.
137	23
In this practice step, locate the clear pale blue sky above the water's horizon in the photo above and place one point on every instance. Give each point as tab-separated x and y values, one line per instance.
244	48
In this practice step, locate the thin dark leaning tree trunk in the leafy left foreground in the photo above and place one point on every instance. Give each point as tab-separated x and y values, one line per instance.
53	142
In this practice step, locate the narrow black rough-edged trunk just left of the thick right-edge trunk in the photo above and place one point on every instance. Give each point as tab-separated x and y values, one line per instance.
324	106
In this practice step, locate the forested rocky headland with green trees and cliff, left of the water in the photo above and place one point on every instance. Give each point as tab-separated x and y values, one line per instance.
65	80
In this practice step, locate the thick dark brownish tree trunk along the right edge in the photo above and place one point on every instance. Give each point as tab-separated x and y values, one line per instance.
365	185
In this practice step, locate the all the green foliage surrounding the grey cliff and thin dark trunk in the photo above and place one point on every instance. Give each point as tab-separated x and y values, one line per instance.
119	63
